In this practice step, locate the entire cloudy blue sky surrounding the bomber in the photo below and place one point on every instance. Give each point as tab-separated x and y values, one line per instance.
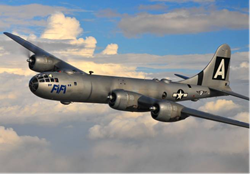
140	39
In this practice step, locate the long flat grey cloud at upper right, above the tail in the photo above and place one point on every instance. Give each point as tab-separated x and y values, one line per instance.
183	21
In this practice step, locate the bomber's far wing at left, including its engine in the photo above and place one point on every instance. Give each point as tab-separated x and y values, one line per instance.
43	61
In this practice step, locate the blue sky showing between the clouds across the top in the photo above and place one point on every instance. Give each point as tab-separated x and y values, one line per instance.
106	29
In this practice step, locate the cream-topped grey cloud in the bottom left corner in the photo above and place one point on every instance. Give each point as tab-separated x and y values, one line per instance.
28	153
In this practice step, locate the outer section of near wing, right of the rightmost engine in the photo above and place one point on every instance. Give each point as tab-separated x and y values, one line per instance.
212	117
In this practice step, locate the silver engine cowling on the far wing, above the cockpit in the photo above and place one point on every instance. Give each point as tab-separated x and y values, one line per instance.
40	63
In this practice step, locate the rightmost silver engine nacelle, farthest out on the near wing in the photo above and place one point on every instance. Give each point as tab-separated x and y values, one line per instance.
167	111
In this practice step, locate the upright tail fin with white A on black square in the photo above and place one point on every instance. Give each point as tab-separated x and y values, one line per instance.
216	73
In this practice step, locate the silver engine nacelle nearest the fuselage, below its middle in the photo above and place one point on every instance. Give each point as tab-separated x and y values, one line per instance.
124	100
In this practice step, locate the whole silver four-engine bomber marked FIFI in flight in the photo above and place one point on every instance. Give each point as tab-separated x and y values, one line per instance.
63	82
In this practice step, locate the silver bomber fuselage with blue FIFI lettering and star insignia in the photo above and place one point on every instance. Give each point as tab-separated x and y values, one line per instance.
95	88
